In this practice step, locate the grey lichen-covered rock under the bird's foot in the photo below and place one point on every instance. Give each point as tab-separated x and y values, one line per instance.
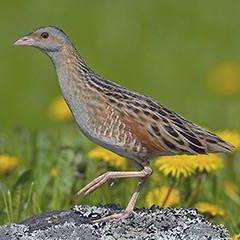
147	224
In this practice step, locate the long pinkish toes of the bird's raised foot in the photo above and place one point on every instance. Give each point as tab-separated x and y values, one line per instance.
94	184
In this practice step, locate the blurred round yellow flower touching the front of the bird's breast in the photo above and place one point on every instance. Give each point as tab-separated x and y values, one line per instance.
59	111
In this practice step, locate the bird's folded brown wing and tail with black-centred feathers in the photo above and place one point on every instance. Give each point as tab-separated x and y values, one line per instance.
166	129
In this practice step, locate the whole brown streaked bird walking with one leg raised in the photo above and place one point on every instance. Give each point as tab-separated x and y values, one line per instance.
123	121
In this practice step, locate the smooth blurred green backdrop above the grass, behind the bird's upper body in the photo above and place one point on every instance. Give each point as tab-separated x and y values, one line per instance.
165	49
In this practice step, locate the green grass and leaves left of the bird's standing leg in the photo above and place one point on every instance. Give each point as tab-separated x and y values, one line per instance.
30	189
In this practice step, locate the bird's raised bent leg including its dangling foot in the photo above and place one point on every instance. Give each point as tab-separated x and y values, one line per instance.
100	180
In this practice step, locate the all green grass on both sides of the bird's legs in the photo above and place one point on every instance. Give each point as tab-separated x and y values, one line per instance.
30	189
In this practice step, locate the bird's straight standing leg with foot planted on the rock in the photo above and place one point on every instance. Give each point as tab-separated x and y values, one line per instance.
130	207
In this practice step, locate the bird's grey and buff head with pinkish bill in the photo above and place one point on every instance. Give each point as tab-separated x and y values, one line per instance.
49	39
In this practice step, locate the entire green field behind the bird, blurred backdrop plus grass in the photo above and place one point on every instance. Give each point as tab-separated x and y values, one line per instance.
185	54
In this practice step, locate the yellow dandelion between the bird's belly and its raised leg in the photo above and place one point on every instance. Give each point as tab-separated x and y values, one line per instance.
110	158
